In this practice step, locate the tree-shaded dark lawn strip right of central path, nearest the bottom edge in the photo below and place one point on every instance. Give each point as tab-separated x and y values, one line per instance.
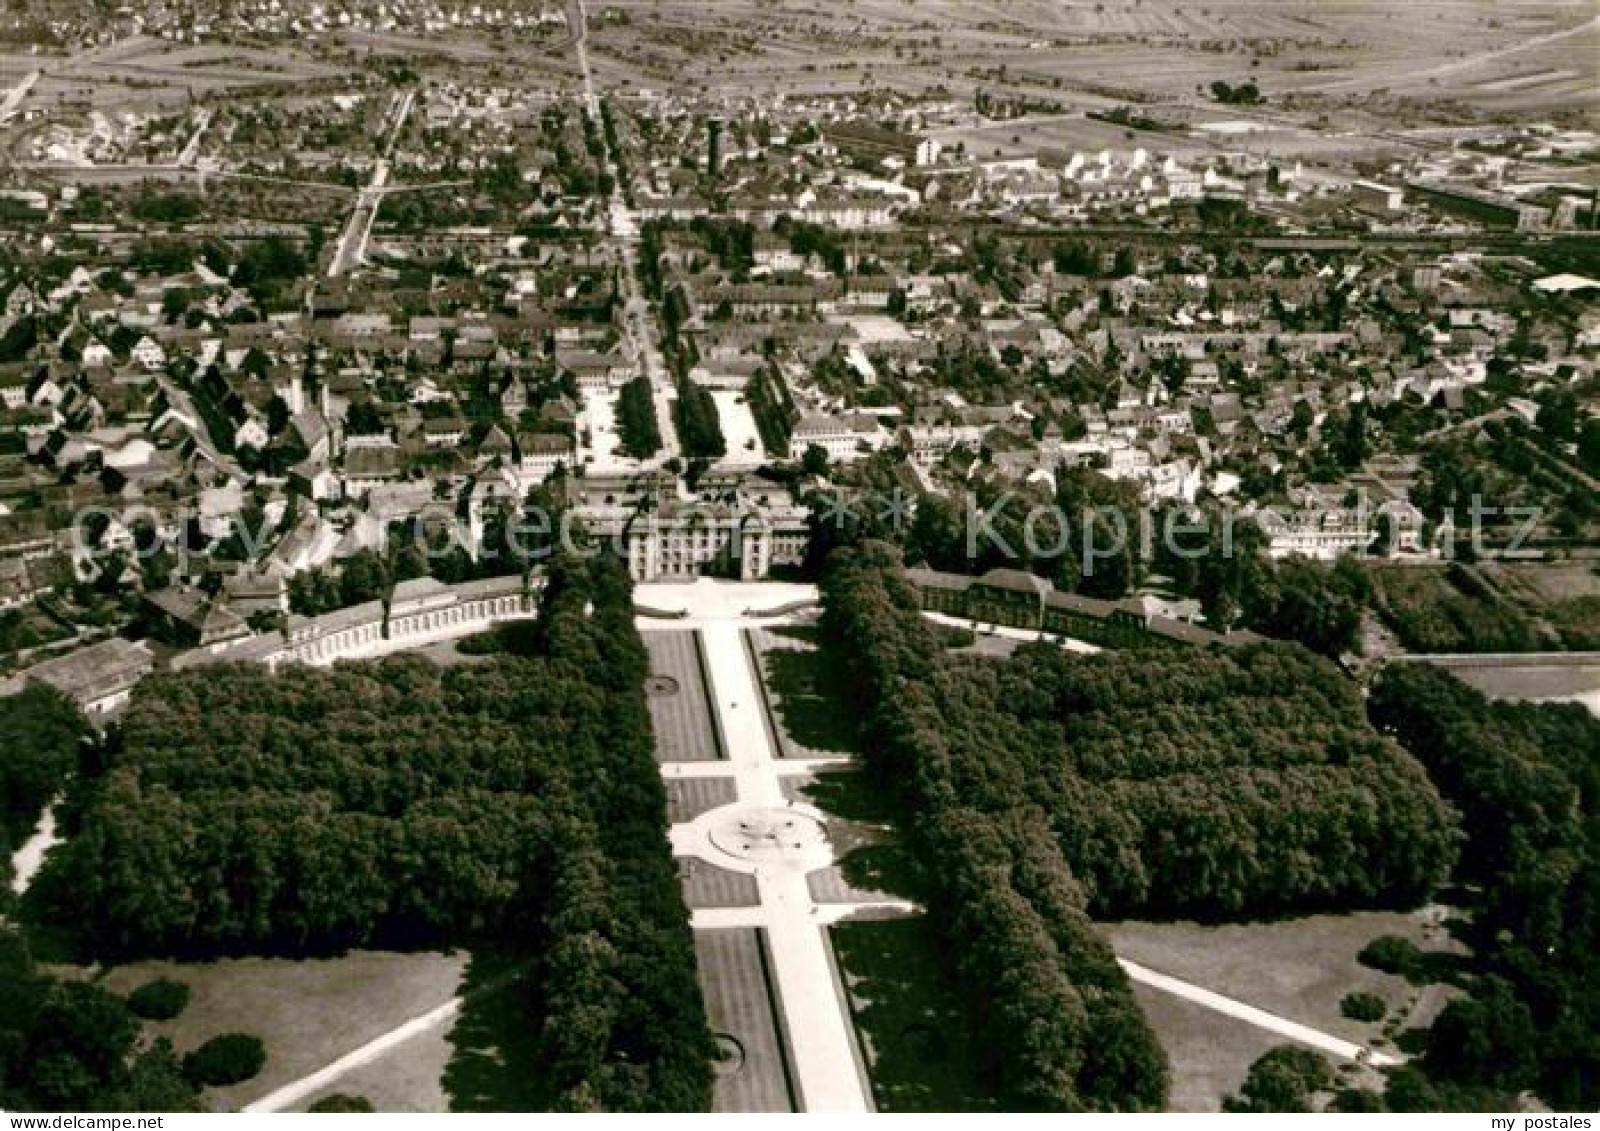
910	1020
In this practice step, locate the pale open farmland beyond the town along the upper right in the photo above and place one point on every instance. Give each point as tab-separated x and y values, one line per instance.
1503	57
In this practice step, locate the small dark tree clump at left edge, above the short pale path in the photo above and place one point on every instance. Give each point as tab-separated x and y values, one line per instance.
41	733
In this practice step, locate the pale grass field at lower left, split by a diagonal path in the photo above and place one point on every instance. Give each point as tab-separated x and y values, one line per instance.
310	1013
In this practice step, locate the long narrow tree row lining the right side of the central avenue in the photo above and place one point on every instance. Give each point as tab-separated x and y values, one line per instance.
1063	1031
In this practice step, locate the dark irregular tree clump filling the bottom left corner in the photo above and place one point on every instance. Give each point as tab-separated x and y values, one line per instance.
74	1047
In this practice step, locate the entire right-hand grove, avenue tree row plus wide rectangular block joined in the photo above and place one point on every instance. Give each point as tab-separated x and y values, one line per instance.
1049	786
